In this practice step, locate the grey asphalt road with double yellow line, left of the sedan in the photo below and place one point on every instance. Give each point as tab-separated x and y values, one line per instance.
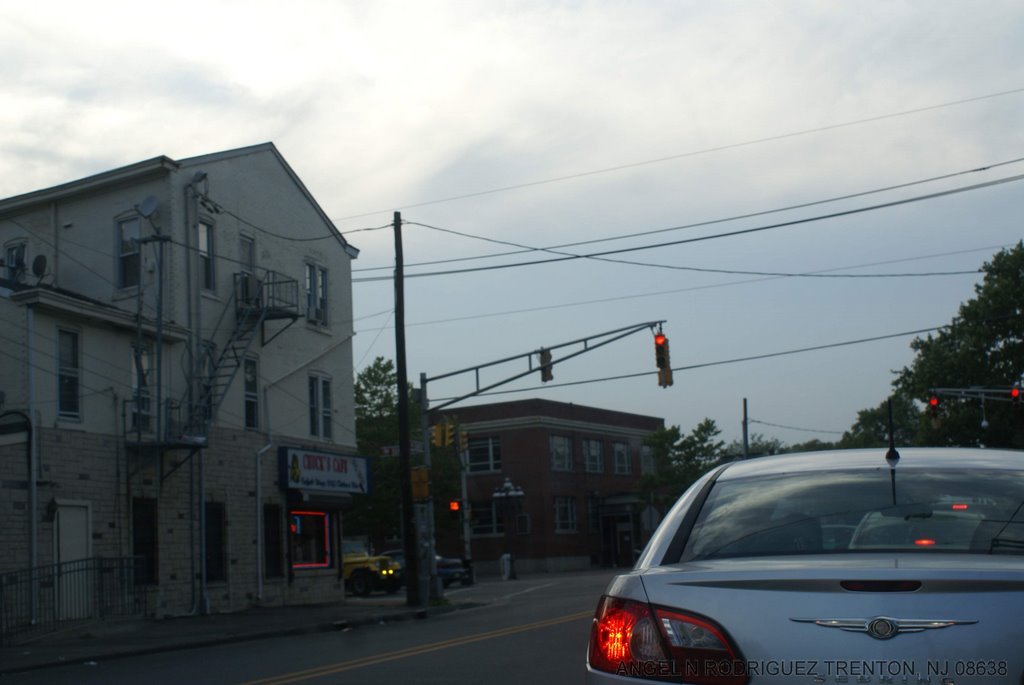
533	630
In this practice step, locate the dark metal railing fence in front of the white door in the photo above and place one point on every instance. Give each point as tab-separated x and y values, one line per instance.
35	602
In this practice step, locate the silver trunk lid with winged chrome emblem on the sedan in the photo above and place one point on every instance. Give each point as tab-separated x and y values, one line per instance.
770	616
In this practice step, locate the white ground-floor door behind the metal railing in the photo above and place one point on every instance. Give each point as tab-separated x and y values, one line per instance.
75	580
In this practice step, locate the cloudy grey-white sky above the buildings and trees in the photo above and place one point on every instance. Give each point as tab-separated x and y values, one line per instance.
501	129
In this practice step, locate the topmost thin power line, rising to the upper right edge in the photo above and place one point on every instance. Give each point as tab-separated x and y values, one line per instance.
706	151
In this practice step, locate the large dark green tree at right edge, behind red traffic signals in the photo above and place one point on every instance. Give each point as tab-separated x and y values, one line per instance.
984	347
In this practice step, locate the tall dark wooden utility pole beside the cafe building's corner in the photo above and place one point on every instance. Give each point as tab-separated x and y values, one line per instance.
410	534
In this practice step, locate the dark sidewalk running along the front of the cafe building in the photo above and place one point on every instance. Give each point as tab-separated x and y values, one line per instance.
127	637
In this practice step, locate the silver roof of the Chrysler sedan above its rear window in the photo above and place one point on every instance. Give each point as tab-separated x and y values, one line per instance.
874	458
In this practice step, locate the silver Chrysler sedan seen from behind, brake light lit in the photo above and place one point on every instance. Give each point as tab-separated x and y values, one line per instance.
829	568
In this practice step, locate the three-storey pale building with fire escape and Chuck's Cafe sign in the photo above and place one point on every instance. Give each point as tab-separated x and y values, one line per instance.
177	383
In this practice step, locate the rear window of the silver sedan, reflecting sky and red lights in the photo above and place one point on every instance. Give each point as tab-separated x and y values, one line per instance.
819	512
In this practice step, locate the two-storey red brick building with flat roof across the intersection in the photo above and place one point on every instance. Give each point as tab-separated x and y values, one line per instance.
579	469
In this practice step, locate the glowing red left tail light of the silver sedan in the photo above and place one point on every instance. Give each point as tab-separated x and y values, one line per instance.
630	638
